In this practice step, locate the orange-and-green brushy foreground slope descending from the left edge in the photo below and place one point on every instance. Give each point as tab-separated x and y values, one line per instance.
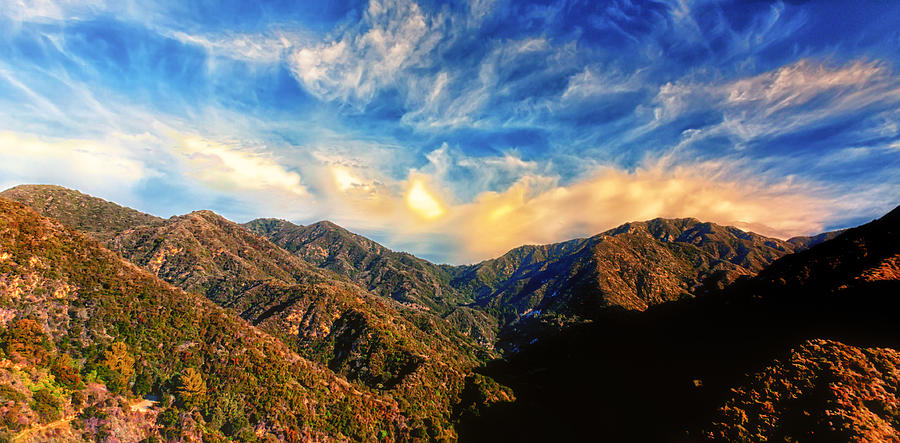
62	294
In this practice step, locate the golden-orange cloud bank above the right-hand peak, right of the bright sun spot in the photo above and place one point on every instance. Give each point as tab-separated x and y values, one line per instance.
496	222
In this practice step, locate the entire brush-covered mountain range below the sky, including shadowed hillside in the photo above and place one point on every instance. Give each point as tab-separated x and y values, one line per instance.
314	332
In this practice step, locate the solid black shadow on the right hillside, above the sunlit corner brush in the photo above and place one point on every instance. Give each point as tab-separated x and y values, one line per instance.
661	374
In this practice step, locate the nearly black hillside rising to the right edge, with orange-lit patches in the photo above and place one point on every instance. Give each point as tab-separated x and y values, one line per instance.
666	374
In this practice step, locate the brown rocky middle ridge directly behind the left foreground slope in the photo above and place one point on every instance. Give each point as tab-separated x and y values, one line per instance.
375	341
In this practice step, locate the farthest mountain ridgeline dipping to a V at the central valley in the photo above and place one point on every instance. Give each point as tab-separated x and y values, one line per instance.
634	266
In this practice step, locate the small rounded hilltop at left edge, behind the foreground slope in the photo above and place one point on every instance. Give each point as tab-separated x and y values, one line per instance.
95	216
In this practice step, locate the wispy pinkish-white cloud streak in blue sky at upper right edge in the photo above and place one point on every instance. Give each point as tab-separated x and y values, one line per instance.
782	100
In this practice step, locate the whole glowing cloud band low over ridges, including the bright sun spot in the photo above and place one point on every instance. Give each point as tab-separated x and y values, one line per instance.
530	208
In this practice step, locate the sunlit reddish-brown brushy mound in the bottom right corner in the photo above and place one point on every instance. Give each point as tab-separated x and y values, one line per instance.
823	391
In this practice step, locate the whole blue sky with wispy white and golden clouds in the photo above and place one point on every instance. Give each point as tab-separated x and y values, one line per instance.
459	130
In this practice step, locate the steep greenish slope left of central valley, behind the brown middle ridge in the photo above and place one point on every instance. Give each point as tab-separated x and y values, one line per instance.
397	275
